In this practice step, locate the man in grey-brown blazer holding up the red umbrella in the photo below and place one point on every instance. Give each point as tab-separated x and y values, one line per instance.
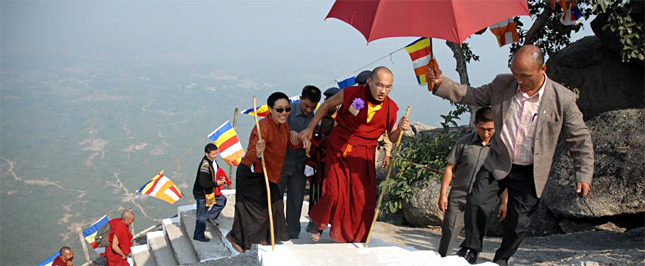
529	112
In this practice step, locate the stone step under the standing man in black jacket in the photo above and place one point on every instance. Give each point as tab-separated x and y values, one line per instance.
206	251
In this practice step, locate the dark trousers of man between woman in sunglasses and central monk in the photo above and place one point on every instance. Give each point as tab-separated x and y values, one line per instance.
295	183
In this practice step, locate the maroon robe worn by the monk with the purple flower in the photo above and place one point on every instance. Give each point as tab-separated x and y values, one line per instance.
349	189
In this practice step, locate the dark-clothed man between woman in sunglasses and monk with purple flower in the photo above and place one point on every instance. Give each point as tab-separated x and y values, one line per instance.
293	178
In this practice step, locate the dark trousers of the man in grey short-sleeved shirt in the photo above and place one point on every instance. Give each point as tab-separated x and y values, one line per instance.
453	222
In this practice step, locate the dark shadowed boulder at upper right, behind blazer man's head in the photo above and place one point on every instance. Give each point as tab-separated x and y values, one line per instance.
605	83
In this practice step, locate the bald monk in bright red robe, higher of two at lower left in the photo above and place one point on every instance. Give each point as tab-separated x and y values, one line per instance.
120	240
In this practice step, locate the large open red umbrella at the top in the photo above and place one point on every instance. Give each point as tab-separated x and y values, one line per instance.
451	20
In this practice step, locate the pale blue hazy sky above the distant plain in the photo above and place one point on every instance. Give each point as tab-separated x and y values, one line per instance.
281	45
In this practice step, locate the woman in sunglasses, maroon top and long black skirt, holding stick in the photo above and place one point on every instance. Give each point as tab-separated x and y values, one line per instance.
251	220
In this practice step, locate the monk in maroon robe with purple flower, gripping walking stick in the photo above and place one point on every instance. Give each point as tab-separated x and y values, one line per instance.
349	190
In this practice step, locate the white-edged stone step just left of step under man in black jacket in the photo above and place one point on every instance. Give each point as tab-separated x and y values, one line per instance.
179	242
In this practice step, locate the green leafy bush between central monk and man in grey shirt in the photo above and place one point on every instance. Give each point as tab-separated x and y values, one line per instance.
419	160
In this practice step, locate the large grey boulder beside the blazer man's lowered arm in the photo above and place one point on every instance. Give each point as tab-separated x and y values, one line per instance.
618	186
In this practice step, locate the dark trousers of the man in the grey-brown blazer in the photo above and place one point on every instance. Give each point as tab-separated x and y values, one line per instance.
522	203
